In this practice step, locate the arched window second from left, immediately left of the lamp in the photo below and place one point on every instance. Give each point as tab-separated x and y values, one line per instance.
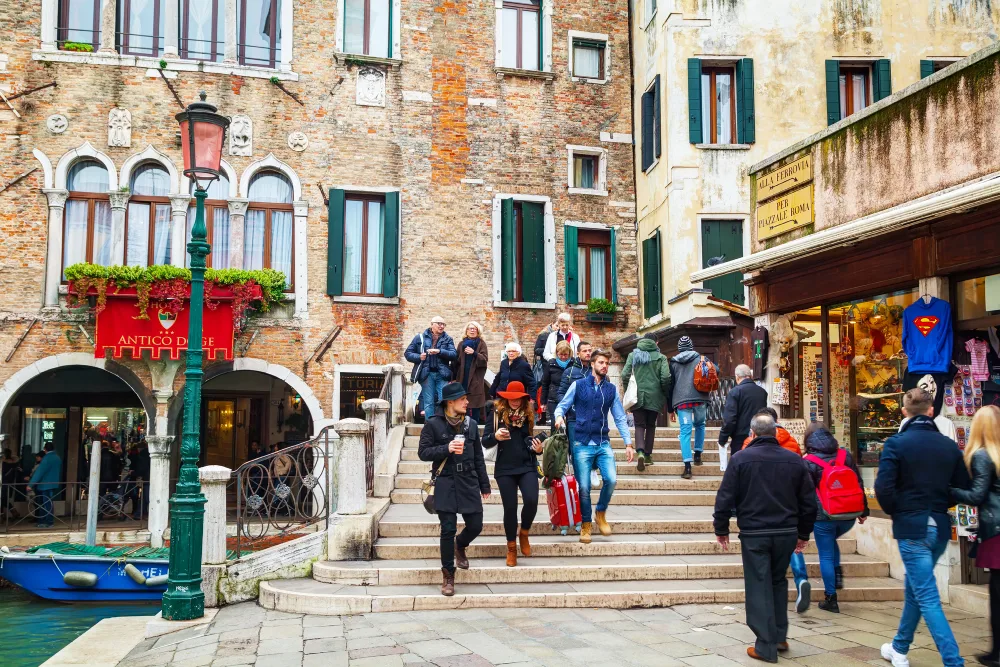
148	217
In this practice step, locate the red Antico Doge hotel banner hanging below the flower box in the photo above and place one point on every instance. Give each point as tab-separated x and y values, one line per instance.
119	328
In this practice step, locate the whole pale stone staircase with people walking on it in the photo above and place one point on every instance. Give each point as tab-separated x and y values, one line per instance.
663	552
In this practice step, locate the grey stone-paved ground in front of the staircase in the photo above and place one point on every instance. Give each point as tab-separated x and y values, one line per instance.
692	635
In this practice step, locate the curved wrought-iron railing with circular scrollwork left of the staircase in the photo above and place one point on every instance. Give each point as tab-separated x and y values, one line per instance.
284	491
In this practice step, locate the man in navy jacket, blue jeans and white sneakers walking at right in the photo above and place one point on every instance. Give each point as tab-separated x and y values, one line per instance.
917	467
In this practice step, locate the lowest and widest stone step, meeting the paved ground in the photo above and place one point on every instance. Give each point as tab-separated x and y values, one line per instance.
307	596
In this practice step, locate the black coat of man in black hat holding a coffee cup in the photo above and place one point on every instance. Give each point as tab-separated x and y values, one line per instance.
463	480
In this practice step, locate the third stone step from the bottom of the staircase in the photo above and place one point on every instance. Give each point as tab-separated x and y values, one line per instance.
556	545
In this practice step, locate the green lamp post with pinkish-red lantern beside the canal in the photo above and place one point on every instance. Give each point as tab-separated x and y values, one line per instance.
203	133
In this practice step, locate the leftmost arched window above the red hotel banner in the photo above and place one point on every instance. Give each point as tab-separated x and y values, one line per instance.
87	219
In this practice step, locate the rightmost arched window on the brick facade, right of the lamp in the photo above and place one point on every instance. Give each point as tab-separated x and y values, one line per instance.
267	238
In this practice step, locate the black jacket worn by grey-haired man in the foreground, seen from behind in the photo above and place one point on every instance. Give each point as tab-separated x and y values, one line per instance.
770	489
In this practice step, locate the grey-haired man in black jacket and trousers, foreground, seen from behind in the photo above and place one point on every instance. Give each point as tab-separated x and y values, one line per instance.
774	499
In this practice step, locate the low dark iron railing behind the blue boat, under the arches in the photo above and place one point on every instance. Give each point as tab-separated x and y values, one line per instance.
123	505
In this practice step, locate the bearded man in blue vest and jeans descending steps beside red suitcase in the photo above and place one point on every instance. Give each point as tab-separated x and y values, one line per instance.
592	398
